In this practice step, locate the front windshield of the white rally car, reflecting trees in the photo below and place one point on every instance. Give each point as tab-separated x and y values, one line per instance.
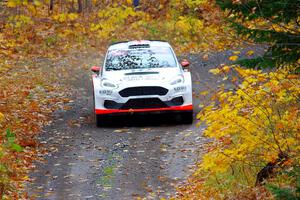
139	58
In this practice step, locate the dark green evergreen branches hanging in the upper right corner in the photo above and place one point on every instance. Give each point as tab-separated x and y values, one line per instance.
274	23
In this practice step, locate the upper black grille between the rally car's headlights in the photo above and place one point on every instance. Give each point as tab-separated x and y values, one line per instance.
139	91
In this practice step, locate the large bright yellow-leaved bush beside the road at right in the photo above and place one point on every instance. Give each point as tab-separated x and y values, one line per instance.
252	125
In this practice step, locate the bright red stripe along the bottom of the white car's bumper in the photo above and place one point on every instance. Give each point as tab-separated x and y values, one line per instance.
173	108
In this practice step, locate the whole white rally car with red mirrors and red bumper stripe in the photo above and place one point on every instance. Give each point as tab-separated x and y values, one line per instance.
141	77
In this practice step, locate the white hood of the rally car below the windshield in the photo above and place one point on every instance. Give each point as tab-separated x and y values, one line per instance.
142	75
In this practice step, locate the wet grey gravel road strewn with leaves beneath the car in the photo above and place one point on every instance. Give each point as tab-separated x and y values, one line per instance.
138	157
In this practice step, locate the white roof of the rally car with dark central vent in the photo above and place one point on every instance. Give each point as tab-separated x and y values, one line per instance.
127	44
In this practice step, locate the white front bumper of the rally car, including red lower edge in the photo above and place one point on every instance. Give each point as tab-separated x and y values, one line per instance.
177	98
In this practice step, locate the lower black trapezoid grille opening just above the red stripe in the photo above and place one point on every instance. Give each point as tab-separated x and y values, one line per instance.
143	103
